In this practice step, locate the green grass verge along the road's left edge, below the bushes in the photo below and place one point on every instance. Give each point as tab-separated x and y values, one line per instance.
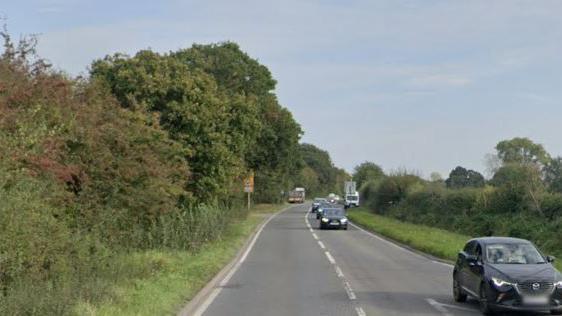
172	278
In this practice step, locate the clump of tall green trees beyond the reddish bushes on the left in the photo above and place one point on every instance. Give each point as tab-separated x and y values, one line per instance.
217	102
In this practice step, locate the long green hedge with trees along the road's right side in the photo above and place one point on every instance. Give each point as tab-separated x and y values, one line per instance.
521	199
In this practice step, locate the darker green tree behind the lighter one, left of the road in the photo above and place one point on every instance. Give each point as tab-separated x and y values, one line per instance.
274	153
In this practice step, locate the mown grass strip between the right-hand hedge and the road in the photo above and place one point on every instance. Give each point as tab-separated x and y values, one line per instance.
435	241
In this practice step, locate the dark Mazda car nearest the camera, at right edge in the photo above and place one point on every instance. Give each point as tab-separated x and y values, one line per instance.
507	274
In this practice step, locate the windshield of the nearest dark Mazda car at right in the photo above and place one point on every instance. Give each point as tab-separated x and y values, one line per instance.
513	253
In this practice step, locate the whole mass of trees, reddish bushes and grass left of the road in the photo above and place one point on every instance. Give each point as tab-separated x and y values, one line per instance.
110	181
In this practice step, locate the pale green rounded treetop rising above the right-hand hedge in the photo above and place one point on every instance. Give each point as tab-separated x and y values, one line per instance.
522	150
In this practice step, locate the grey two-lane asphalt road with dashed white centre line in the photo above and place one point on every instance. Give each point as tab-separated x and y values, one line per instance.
296	269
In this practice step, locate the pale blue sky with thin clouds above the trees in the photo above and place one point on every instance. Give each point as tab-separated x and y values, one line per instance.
421	85
